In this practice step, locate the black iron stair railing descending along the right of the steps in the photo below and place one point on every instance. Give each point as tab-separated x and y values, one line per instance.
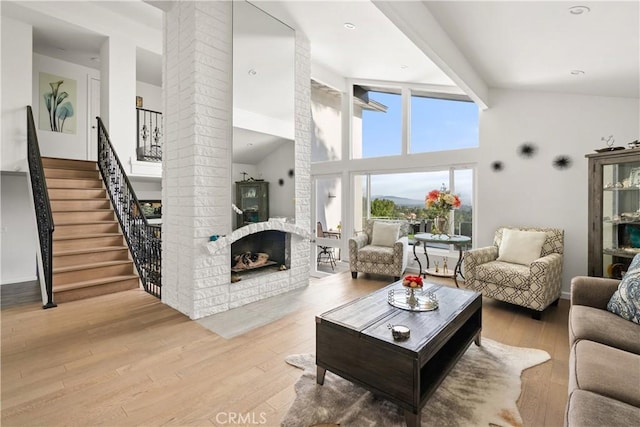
144	239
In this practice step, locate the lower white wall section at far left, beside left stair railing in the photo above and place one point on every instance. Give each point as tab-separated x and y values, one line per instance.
18	230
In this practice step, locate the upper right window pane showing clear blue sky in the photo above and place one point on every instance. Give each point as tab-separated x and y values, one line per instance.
442	124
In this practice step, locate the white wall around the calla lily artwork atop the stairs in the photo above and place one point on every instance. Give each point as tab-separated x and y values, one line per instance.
56	144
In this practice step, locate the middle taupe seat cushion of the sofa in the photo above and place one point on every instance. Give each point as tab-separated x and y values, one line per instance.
605	370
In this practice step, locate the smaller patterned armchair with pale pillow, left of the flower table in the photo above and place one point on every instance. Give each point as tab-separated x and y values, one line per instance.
381	248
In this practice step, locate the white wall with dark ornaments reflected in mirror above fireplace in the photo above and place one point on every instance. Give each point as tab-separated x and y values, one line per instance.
273	168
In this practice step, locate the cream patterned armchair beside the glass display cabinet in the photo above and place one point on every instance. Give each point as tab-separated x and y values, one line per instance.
522	267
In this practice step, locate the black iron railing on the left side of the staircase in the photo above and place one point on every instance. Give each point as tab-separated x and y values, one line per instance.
44	218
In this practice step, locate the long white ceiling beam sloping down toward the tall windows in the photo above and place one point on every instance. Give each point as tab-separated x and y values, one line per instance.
420	26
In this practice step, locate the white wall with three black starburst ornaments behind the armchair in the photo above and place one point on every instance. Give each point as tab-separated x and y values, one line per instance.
531	191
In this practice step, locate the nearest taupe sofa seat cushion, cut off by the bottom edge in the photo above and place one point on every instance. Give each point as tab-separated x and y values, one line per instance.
589	409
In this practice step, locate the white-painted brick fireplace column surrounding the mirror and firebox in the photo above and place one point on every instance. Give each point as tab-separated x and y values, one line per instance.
196	183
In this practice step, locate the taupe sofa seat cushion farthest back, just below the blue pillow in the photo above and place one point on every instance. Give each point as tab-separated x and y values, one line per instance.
601	326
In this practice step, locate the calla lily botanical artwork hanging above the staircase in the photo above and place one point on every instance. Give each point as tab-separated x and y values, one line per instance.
58	103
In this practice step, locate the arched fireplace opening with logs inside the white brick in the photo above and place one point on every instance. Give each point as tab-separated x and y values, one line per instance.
260	253
